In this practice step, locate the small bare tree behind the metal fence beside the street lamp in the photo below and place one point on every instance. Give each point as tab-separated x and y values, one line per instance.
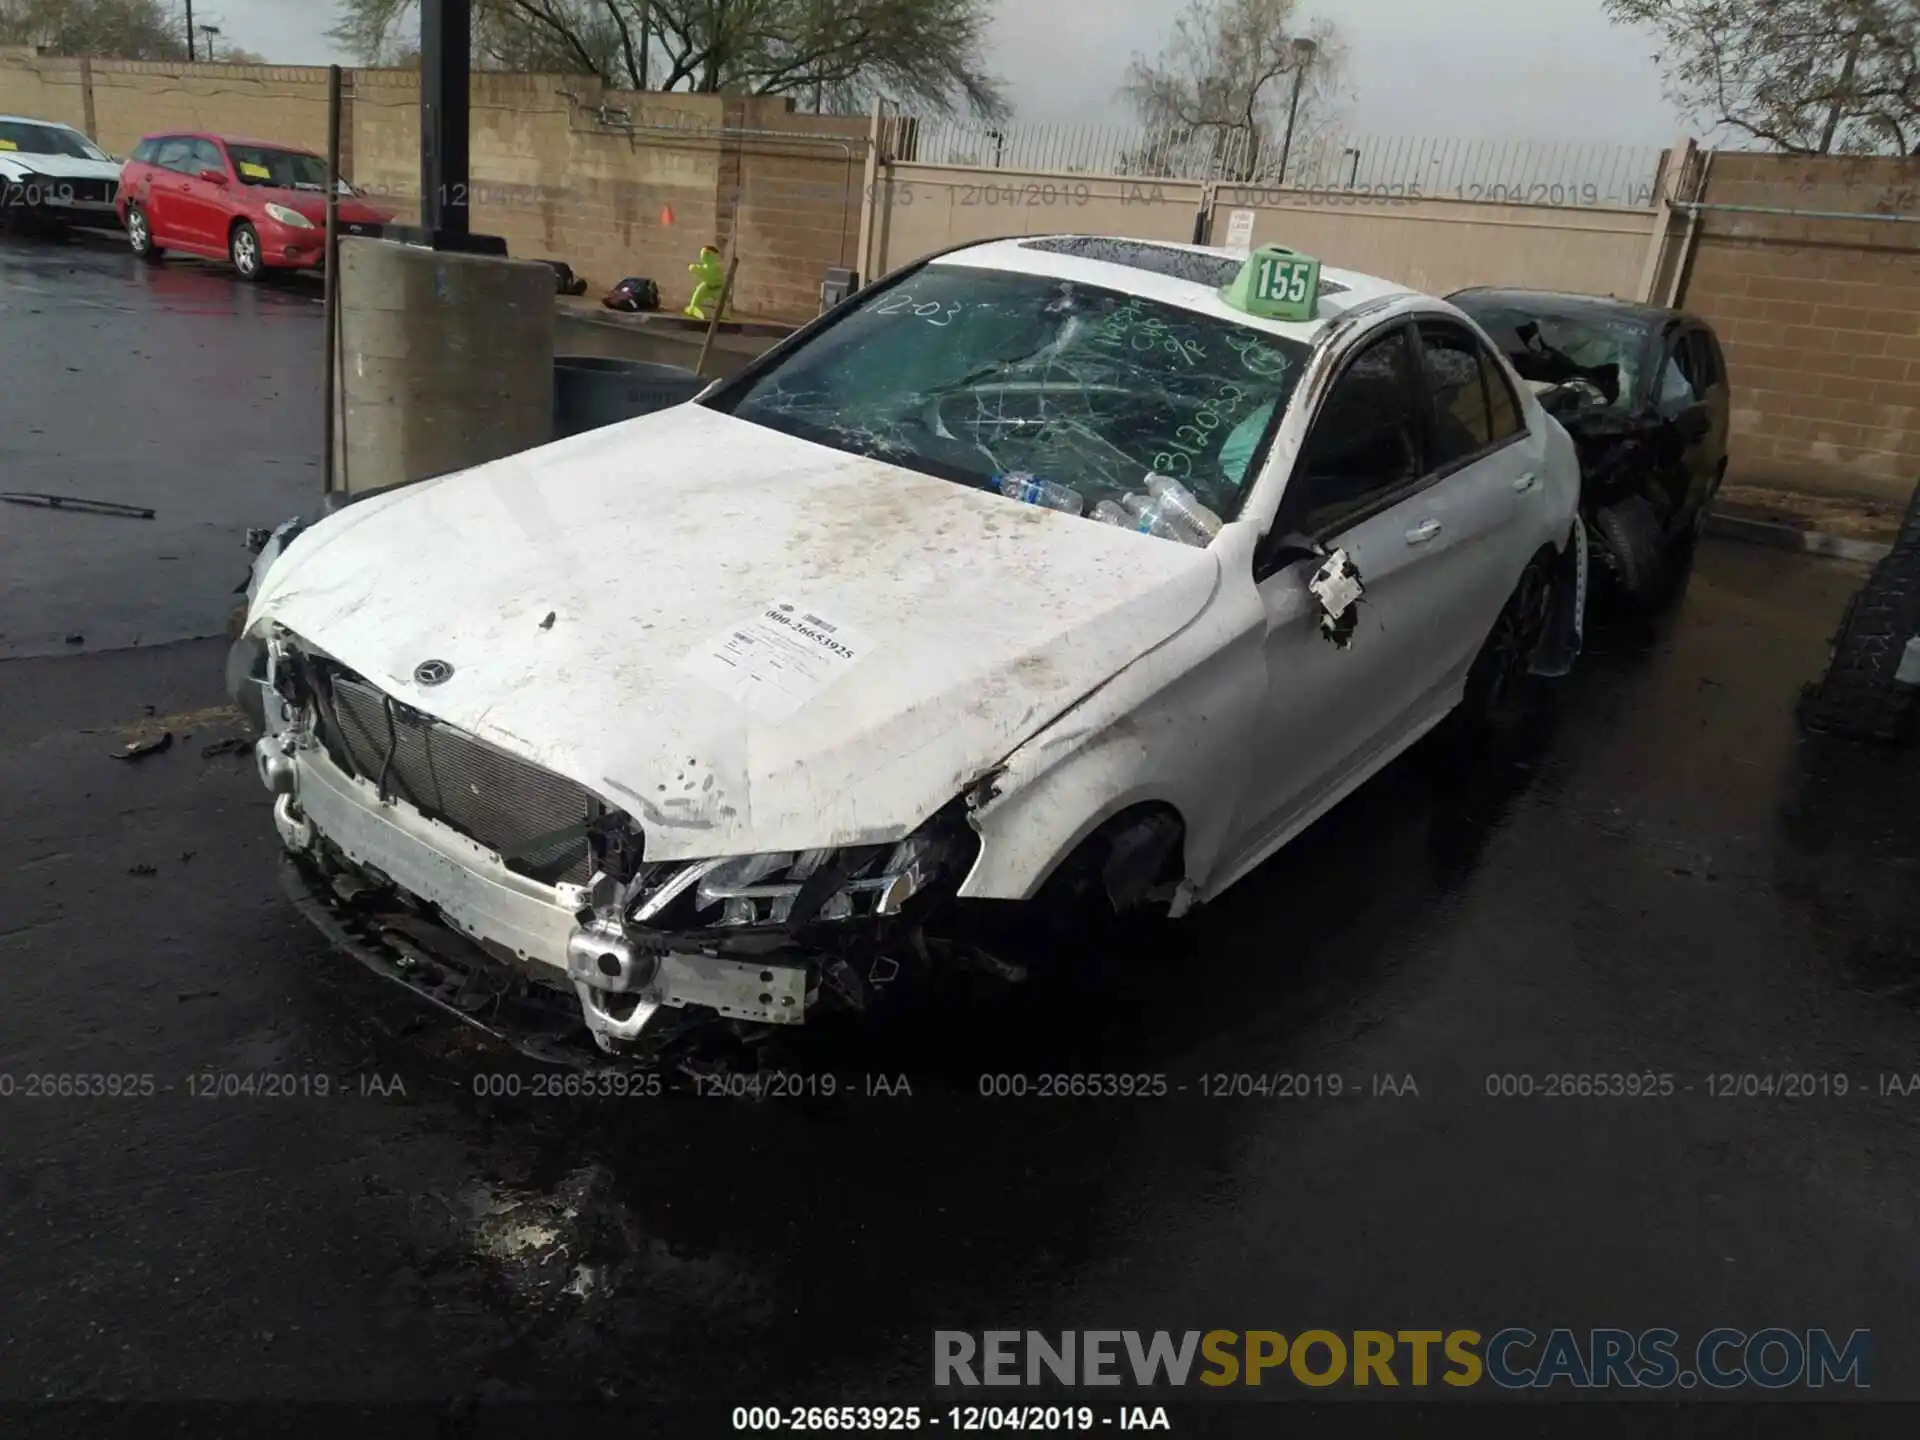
1243	80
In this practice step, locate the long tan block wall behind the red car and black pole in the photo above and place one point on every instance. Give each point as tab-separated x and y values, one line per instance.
608	181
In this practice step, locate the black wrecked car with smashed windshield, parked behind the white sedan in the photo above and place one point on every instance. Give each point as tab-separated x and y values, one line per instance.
1643	391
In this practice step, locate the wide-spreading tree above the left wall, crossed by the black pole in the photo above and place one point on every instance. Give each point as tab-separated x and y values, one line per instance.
842	51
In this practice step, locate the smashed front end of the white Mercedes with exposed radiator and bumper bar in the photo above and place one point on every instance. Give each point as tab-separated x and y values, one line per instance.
525	905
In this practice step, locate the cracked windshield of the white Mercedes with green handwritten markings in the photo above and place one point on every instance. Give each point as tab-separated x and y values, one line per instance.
1055	393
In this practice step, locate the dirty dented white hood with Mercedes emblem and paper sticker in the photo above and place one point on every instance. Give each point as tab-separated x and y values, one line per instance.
932	627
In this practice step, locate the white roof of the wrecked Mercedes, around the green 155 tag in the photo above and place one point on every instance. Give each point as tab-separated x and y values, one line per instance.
1166	272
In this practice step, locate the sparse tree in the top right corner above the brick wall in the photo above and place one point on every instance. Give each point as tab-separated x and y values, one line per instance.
1806	76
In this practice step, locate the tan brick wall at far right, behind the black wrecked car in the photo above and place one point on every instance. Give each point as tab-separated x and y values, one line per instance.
1819	318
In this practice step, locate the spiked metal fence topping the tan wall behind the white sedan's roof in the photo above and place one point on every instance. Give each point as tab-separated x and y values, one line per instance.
1514	172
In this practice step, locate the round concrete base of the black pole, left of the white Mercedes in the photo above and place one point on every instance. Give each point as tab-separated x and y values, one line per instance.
446	362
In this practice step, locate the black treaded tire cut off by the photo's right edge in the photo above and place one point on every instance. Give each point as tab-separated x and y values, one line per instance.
1858	696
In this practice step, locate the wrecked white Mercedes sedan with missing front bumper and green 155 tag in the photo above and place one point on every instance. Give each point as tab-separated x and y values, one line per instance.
734	709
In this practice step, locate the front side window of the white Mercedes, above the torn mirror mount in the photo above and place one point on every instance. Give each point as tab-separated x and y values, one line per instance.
1364	443
